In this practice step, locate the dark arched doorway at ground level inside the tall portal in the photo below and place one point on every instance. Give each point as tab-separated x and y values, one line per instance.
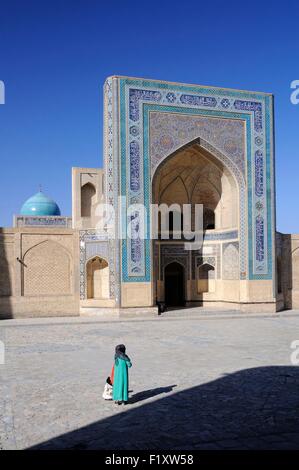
174	285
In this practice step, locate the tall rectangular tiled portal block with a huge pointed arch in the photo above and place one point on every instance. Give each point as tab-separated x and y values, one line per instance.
149	122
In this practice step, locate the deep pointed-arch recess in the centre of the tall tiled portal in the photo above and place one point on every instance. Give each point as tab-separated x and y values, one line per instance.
194	175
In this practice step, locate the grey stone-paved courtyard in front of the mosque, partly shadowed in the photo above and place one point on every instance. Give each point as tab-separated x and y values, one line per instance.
213	382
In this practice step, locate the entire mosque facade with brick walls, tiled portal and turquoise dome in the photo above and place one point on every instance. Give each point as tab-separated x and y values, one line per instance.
172	145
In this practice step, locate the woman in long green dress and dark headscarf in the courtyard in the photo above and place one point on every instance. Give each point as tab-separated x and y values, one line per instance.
121	375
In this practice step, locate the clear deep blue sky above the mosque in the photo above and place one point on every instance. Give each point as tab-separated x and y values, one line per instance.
55	56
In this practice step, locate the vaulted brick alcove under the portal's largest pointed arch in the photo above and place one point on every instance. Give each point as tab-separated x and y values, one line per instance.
193	176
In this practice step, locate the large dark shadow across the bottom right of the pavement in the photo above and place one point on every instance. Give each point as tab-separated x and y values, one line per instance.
255	408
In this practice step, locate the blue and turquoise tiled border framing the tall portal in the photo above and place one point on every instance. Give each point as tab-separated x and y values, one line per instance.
136	94
